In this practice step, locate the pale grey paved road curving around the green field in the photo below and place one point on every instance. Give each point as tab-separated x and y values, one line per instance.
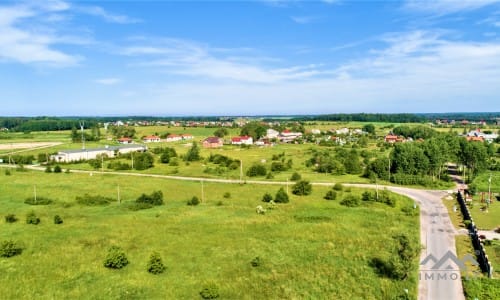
437	234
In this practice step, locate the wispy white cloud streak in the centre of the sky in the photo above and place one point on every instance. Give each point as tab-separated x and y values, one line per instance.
192	59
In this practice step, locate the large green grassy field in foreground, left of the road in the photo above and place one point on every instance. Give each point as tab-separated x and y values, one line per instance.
310	248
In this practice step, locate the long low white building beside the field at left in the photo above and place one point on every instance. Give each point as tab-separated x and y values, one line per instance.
86	154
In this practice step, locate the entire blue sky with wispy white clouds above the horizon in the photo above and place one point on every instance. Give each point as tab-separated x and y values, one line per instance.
174	58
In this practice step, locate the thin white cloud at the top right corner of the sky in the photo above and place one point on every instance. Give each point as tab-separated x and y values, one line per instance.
446	6
